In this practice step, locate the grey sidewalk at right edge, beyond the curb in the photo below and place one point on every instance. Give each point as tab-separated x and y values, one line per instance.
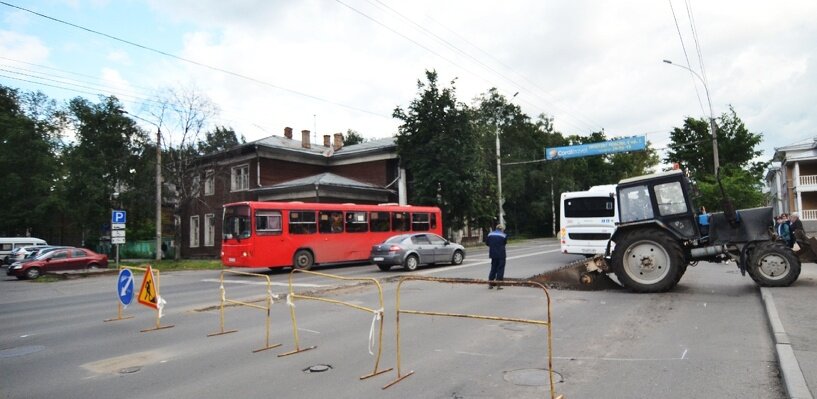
792	314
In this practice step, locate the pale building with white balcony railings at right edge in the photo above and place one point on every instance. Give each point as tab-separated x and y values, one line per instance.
792	182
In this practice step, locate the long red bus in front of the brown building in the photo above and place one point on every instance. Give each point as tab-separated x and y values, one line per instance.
300	235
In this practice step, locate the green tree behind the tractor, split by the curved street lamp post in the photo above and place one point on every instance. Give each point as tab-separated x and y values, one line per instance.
740	172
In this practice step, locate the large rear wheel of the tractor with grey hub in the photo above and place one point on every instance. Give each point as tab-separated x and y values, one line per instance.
648	260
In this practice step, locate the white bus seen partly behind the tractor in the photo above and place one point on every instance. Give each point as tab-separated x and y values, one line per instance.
587	220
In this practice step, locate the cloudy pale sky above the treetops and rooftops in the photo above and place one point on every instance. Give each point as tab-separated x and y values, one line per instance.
328	66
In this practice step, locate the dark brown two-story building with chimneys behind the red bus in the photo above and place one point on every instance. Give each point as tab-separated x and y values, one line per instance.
280	168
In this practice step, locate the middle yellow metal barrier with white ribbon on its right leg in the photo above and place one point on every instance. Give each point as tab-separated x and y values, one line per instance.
377	315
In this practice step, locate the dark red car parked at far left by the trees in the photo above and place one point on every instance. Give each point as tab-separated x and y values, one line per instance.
61	259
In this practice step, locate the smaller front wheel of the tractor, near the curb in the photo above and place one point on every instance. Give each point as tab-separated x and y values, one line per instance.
772	264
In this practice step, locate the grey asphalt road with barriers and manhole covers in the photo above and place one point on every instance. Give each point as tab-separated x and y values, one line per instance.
706	338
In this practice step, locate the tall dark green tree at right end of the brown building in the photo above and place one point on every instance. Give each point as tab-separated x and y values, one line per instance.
440	150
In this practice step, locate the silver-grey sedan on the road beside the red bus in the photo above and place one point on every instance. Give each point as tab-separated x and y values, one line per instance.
412	250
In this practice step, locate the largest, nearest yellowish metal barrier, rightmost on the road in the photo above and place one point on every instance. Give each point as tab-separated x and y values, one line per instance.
532	284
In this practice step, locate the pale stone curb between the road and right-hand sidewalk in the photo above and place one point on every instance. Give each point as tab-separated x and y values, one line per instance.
793	378
